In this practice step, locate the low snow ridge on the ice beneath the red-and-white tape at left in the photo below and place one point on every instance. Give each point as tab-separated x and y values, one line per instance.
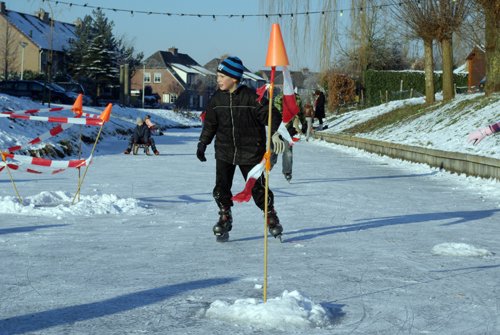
59	203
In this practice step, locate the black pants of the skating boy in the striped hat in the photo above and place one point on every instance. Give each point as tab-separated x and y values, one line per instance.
224	173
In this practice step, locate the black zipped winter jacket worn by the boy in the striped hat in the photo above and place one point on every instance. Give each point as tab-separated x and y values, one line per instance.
238	121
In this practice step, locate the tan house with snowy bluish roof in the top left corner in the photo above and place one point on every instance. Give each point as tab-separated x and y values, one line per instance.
32	42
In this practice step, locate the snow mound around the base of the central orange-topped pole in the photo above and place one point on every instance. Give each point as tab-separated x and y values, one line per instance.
290	311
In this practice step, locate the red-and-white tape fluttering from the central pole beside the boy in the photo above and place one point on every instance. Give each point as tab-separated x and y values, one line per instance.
289	110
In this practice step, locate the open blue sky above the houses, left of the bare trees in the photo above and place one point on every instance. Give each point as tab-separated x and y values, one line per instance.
202	38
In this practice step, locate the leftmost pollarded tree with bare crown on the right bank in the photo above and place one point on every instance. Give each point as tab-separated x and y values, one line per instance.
420	19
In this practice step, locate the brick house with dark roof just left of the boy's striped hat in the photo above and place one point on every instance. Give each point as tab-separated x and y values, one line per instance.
175	78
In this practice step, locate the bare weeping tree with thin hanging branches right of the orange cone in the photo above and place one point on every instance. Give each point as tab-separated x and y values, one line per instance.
365	28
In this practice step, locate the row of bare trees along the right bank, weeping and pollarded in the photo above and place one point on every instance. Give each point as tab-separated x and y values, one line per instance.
381	33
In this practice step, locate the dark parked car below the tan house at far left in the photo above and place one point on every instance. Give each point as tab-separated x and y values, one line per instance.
37	90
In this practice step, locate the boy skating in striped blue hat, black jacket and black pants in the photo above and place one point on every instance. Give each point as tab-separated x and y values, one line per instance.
238	123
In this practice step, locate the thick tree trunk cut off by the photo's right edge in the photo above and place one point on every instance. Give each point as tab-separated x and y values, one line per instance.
492	49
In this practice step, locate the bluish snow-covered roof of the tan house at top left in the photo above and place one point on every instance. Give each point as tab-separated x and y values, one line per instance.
41	33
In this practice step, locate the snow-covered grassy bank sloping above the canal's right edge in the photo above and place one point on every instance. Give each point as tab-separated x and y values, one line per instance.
442	127
